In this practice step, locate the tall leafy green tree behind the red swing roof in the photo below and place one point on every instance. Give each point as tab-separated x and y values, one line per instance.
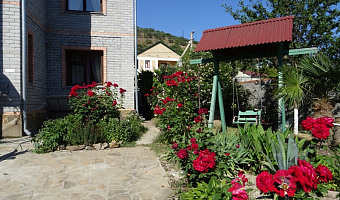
316	23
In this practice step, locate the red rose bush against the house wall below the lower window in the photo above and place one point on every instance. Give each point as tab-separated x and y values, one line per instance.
93	104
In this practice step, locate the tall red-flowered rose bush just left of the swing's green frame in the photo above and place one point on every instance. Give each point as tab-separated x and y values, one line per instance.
175	105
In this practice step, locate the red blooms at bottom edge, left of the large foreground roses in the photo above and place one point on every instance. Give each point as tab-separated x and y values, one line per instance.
237	187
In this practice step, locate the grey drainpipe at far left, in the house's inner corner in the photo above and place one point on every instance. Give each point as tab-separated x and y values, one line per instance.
23	66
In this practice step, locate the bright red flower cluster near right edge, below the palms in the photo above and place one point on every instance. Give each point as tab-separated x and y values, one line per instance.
319	127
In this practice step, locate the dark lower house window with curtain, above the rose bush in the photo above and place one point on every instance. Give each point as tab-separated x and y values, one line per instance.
84	67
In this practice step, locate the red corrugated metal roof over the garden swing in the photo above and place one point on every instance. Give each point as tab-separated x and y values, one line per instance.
248	34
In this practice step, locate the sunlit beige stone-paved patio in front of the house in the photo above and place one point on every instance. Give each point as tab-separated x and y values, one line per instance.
117	174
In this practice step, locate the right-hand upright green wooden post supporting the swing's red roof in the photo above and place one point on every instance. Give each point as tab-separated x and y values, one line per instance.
282	112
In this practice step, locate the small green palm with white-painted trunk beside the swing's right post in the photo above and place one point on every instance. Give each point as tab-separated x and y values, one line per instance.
293	90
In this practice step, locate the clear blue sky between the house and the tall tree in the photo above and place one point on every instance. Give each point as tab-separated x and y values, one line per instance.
180	17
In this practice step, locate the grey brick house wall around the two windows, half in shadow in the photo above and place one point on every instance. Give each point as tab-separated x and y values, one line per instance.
112	30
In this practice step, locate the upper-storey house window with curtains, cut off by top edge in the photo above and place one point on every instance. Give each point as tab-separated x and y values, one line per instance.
85	5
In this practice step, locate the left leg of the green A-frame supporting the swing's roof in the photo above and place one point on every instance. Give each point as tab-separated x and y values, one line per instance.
213	94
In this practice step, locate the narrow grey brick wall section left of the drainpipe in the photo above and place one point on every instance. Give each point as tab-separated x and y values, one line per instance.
10	68
